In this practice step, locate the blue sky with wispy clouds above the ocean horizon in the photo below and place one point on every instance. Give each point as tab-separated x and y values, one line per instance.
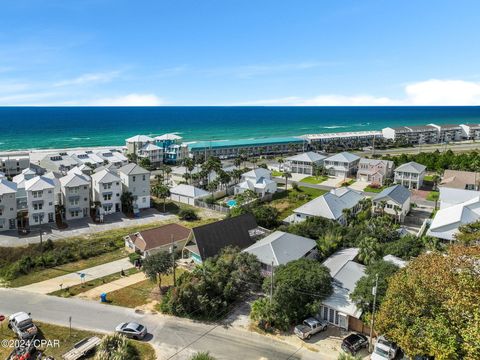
239	52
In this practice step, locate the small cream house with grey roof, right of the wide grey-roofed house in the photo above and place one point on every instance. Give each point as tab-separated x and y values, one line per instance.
394	200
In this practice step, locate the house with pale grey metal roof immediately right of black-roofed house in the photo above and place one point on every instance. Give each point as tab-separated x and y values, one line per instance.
279	248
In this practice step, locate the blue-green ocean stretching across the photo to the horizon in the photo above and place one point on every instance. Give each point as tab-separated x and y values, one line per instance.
65	127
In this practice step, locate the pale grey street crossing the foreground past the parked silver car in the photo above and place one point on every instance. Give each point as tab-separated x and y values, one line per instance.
173	338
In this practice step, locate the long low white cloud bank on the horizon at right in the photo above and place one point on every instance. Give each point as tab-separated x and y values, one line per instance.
433	92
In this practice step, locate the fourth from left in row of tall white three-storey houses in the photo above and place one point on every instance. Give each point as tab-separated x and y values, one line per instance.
107	189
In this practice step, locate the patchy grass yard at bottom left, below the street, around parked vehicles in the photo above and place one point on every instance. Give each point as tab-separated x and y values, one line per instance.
66	340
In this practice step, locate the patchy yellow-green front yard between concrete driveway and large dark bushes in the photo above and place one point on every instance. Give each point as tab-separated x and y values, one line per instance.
140	293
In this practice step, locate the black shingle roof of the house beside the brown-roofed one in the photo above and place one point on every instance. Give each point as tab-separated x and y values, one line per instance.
212	238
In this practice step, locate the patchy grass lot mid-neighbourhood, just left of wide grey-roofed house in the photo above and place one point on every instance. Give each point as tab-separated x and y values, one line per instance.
286	201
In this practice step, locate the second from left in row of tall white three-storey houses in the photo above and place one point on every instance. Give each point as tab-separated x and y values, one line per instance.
40	192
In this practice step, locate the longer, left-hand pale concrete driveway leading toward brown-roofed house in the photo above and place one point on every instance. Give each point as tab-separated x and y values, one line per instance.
51	285
